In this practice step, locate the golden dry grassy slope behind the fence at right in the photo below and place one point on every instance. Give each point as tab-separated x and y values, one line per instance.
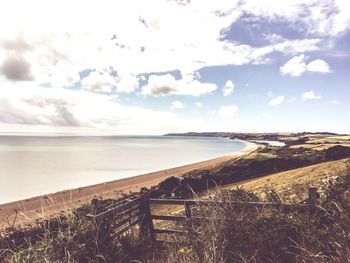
293	184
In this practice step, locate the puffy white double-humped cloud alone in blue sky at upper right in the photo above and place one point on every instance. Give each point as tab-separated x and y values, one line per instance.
297	66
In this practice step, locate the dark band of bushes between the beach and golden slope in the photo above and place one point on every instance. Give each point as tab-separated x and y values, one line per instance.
267	161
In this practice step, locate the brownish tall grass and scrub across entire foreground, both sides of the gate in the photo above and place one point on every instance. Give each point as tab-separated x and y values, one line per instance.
228	234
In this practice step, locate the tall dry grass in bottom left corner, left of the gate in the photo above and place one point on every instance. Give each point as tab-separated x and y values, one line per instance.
73	238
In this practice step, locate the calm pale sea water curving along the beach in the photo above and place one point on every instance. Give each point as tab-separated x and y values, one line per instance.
31	166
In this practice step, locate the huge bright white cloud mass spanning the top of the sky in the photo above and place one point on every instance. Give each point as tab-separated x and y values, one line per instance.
154	40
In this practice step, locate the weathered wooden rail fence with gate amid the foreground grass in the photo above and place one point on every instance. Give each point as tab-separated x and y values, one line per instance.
135	210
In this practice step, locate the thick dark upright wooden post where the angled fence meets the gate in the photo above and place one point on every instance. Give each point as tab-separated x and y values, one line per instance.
147	228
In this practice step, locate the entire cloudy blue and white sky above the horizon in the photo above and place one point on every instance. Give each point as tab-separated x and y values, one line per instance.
154	67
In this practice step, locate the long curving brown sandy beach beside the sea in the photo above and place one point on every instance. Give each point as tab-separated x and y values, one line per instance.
26	211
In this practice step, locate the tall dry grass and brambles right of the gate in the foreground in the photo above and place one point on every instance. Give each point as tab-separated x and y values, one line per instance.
232	234
